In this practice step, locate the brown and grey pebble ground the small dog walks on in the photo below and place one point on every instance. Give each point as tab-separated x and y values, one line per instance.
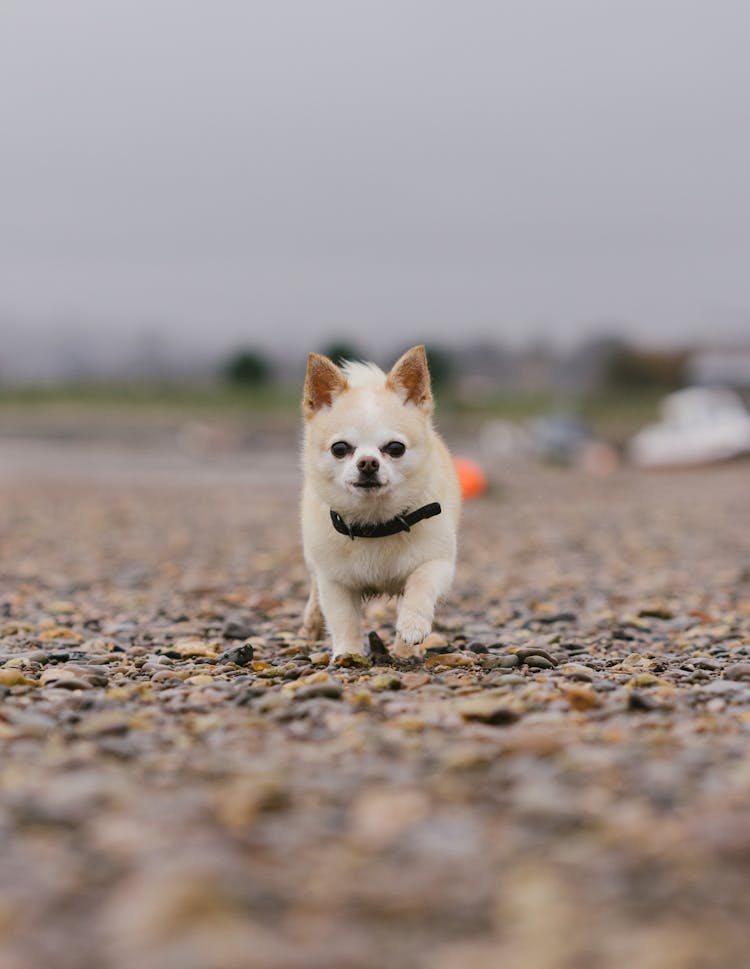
563	784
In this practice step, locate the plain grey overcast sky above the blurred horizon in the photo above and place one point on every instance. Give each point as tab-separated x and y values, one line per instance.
283	169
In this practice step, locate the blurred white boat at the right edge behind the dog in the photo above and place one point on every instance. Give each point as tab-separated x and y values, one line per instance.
699	425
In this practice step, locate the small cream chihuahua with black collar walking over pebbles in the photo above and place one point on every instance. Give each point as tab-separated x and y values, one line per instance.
381	500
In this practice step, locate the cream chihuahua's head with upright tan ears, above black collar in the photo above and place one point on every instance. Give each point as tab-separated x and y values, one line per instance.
369	434
